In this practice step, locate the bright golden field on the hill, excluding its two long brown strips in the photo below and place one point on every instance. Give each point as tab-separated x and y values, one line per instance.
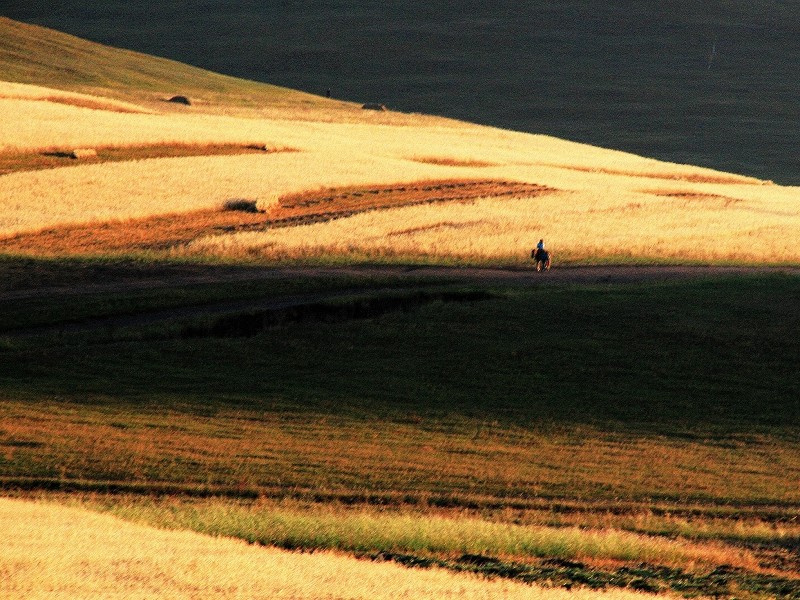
601	203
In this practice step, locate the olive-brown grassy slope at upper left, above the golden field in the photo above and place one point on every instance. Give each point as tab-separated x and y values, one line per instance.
36	55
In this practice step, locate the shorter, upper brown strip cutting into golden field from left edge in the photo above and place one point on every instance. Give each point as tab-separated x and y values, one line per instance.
56	158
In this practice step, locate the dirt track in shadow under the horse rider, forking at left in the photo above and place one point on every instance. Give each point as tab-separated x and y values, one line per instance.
406	281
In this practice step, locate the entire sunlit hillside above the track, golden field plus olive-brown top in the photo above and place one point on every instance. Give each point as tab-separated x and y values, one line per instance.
601	204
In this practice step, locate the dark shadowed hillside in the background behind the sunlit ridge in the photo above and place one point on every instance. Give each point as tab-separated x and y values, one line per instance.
711	83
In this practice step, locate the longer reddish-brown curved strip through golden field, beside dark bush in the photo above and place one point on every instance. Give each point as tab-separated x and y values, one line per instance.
166	231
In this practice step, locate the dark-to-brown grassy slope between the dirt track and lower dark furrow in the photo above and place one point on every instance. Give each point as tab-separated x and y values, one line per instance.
482	399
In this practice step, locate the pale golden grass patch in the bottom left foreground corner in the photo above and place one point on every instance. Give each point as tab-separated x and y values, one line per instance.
52	551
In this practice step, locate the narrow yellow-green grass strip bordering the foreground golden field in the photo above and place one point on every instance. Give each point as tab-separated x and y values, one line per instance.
367	531
